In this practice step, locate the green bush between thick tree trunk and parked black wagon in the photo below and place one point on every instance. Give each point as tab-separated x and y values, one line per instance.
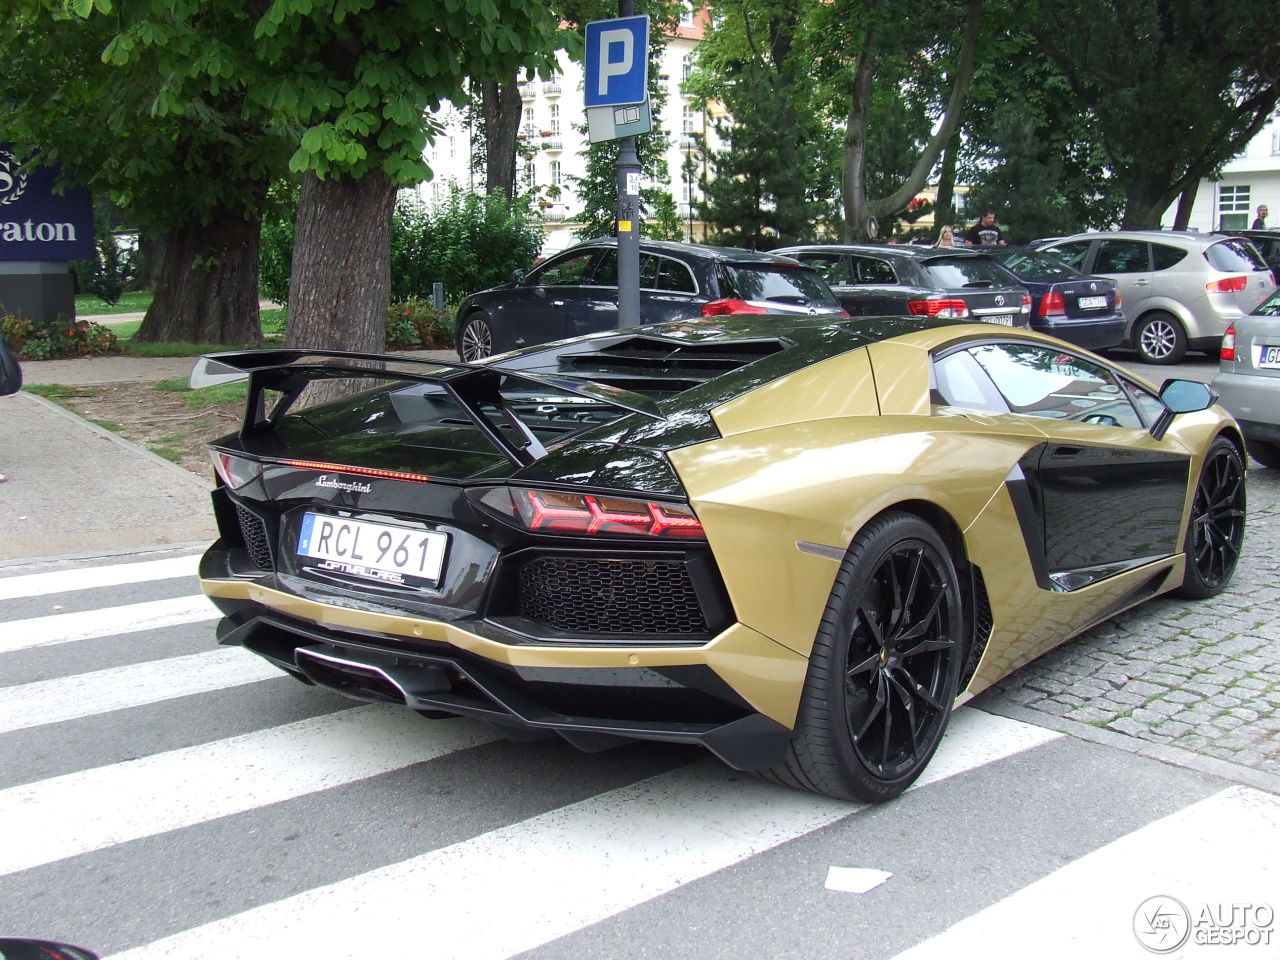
467	243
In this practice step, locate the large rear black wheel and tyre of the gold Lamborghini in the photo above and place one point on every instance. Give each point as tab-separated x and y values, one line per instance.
885	666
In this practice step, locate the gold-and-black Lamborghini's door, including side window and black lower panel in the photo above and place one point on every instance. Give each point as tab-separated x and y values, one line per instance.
1101	495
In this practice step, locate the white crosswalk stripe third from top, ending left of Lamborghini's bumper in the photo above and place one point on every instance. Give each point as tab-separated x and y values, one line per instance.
135	685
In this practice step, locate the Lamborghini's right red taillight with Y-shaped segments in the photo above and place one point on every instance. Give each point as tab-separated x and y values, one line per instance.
557	513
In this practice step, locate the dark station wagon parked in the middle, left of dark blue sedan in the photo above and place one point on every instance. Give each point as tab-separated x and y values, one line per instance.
884	281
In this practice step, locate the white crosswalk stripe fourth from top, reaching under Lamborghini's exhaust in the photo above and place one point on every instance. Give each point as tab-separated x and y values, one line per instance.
93	810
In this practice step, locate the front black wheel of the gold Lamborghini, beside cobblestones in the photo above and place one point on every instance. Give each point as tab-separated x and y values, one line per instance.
1215	532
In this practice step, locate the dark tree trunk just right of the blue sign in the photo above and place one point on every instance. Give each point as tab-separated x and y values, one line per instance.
207	291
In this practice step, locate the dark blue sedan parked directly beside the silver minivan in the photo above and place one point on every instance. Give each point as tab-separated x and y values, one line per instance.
1077	308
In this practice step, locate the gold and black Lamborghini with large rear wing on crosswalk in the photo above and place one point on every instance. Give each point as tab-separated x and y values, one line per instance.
799	543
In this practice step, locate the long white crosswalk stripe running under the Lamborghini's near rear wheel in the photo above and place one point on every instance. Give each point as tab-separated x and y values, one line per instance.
524	885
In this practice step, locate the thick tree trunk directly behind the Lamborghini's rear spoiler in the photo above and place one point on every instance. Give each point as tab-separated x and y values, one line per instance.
341	281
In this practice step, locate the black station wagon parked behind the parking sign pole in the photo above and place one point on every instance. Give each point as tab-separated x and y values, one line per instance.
577	292
